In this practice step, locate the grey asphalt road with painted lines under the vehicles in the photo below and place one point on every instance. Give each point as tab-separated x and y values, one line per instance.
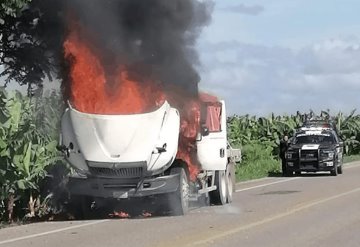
311	210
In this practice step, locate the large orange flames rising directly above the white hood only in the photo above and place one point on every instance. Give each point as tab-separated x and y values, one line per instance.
90	93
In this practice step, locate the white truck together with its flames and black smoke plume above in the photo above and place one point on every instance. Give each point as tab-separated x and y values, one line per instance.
136	125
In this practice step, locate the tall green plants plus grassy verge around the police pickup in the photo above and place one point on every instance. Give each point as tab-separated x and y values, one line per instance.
259	139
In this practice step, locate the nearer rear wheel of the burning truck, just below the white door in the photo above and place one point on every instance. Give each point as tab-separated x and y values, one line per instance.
219	196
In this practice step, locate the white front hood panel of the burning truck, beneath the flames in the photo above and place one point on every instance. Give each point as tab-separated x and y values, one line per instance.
118	138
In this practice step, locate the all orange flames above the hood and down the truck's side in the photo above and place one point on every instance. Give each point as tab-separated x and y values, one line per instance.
89	92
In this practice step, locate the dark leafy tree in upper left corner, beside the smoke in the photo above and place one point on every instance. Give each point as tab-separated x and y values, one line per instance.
25	53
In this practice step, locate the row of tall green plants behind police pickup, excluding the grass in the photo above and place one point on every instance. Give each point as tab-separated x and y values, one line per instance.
246	129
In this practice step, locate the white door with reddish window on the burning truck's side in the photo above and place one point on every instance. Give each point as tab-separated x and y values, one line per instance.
212	141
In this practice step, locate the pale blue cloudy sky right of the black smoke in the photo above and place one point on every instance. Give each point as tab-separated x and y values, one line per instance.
281	56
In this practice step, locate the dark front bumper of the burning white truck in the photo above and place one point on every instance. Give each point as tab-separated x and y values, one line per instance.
122	188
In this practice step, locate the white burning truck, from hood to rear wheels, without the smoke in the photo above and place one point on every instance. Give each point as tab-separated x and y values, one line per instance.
152	153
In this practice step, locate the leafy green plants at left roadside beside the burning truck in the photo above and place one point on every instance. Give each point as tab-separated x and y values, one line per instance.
28	139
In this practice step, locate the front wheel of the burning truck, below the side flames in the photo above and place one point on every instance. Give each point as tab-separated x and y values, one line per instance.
179	200
